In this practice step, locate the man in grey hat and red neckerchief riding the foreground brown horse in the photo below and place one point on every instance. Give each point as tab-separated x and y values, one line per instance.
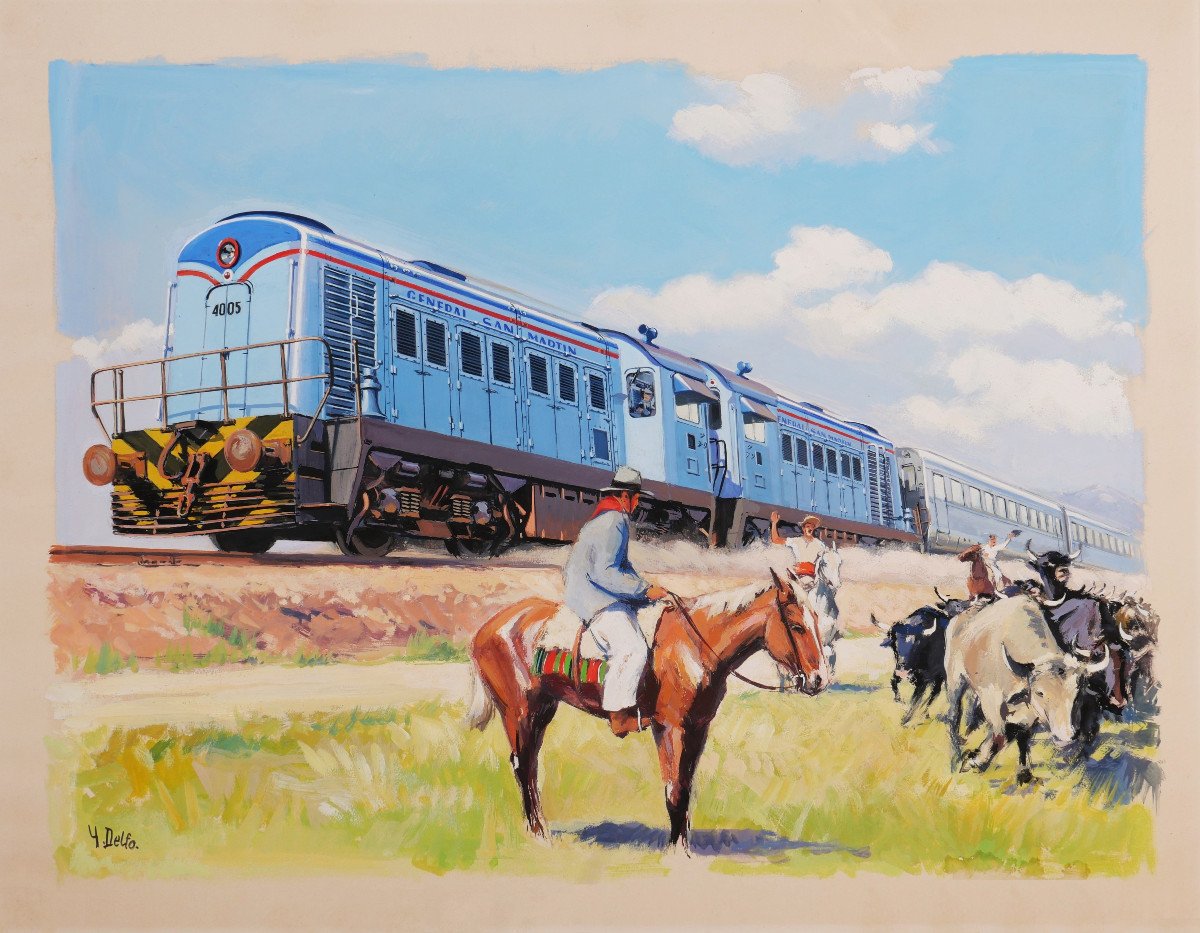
605	592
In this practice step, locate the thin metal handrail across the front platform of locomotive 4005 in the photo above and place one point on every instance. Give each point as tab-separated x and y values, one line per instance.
285	381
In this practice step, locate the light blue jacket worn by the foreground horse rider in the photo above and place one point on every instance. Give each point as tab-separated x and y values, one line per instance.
598	573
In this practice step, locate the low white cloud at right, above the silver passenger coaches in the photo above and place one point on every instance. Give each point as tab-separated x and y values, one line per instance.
992	390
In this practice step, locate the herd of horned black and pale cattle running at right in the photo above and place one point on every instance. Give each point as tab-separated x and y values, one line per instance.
1040	655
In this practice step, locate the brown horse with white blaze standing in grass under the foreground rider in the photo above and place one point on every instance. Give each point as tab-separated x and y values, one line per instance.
698	645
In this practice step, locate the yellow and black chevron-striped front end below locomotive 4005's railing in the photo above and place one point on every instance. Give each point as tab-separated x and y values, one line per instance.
148	501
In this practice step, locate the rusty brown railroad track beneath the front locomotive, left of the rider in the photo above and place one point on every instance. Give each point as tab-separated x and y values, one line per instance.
109	557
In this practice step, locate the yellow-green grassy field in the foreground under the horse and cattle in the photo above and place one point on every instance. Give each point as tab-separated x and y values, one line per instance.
789	785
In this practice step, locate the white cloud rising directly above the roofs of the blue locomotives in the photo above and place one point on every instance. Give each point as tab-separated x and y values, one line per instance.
817	260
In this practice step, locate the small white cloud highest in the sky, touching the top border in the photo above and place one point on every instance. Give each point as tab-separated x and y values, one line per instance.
767	121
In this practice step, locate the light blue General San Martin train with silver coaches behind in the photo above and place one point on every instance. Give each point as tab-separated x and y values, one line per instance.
315	388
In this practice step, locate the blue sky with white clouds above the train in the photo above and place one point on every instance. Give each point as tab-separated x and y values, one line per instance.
953	256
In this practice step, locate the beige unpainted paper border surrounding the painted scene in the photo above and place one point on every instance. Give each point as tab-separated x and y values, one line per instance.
729	40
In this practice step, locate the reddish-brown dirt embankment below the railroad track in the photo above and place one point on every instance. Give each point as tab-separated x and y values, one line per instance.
365	612
